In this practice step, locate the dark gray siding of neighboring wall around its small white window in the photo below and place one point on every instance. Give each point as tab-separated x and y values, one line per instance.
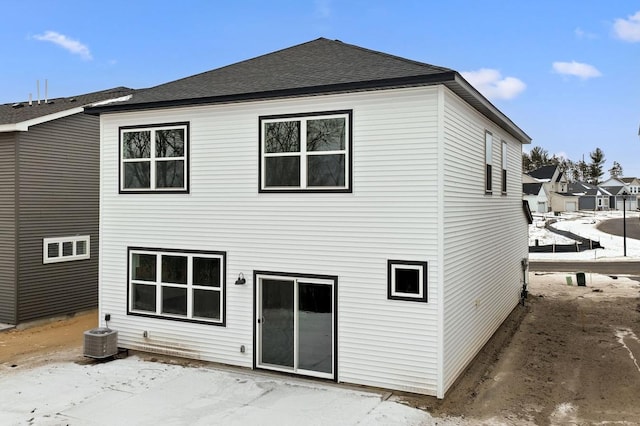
58	172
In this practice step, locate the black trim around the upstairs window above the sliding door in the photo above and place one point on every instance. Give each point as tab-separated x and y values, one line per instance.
349	148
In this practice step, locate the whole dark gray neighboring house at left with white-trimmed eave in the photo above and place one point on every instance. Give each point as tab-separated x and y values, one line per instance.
49	207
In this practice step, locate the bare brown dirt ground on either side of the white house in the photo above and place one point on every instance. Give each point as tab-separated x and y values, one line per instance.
571	355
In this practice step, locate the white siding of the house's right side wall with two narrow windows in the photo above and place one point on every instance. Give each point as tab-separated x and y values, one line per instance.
485	236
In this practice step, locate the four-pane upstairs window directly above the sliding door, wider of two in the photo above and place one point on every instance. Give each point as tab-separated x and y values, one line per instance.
306	152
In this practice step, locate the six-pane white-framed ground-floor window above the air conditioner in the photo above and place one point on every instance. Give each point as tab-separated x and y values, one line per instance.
177	284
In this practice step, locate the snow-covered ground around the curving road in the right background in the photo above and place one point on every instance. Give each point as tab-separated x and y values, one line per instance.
583	224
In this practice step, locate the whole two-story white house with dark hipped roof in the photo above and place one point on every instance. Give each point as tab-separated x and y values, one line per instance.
323	210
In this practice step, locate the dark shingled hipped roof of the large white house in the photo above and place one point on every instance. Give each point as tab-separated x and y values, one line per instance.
316	67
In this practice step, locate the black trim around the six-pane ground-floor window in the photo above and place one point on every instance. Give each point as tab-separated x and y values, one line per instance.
223	285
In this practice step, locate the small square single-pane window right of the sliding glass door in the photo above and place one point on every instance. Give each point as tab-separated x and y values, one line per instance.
407	280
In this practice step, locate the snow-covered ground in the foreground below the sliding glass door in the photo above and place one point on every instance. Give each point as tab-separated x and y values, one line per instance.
132	391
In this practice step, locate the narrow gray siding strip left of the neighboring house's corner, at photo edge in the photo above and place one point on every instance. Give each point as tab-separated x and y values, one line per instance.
7	228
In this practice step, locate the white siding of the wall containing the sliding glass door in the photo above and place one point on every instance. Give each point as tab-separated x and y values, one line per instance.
390	214
